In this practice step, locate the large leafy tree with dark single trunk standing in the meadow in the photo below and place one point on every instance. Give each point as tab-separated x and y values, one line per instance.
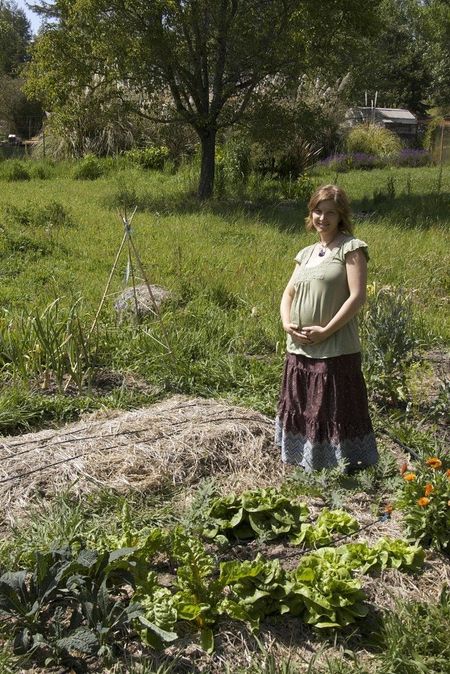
199	61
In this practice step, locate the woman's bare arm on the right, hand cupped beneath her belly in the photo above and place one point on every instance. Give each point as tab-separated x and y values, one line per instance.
356	269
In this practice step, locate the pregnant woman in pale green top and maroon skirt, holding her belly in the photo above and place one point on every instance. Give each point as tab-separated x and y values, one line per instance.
323	418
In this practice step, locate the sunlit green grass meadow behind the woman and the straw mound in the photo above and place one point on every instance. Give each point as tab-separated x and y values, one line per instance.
225	263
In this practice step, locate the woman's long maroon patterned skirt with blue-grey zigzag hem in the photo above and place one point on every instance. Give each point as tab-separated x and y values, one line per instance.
323	417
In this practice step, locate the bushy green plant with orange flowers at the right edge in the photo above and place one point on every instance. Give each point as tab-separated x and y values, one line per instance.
425	500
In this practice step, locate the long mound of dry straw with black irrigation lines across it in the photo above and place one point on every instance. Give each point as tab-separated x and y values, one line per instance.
177	441
